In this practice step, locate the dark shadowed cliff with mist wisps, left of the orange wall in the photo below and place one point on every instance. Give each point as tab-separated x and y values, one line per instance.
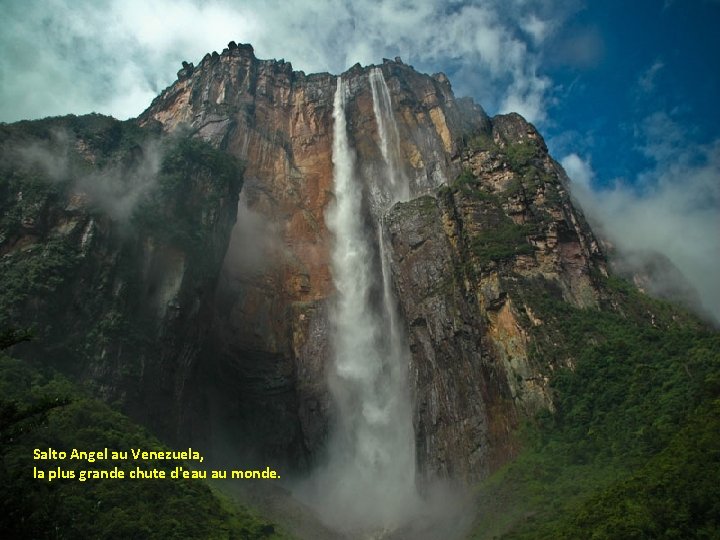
111	242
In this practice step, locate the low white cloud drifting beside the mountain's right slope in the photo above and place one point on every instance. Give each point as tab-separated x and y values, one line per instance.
672	208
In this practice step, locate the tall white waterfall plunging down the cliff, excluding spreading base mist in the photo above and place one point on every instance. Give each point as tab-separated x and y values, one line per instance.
368	483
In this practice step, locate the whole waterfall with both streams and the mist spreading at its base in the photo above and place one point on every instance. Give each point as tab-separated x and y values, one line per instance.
366	486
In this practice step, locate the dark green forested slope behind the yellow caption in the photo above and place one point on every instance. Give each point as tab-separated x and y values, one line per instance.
41	409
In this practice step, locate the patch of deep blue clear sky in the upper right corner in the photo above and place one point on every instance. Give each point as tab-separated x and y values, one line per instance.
646	57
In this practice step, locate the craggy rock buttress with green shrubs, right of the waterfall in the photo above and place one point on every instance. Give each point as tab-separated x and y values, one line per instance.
458	259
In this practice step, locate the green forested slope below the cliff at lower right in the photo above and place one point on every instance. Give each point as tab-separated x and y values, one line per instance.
633	448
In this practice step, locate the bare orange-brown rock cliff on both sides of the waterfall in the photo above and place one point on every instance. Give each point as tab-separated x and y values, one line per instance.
457	253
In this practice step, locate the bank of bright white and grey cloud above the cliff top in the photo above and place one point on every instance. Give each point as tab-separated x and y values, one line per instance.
113	56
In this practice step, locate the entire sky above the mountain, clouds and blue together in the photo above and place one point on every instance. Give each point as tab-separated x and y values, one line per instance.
623	91
